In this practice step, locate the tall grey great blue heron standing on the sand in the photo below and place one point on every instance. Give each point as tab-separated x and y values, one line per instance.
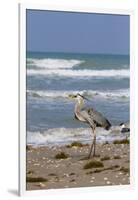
90	116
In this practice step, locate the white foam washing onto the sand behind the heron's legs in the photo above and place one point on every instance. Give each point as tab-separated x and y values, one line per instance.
60	136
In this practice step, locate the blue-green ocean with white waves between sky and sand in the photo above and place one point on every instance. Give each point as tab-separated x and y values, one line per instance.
52	77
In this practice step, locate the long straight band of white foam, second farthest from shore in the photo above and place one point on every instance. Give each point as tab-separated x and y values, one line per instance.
81	73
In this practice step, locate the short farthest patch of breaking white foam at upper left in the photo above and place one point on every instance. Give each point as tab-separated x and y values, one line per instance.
53	63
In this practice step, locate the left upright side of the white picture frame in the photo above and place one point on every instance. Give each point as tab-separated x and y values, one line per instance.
22	100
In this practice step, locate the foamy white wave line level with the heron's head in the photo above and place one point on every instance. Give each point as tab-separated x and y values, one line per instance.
121	94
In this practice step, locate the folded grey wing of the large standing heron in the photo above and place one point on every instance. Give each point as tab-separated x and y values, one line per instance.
96	117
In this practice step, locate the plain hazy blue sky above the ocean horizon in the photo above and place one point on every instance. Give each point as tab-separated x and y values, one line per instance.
77	32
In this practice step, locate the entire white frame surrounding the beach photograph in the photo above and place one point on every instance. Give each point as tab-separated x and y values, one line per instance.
22	96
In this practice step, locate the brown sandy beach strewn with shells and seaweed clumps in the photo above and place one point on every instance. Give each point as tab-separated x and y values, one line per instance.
67	166
